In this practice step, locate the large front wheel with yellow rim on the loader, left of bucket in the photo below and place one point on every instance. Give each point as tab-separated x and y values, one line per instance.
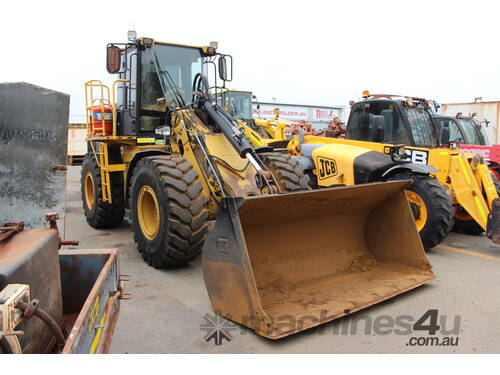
169	211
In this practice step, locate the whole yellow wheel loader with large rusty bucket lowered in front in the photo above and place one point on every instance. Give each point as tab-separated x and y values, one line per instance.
275	261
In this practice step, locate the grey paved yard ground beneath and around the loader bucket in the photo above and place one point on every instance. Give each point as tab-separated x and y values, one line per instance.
170	311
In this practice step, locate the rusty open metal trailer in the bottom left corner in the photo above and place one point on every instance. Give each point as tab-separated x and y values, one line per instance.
78	293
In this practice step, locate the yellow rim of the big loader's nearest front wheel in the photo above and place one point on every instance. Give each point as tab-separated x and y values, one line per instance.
148	212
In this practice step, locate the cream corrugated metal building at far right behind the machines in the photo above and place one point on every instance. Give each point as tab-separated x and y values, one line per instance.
488	113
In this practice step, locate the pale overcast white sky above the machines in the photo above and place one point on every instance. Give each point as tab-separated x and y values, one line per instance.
302	52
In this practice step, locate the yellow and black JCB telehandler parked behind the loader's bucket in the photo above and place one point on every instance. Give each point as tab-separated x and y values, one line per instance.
380	123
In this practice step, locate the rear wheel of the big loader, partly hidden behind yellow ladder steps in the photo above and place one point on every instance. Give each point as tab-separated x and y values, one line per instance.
98	213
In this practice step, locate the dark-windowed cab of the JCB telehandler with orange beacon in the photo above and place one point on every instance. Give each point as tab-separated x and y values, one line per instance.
388	119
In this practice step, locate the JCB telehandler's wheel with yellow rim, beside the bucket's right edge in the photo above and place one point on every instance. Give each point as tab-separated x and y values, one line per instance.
431	207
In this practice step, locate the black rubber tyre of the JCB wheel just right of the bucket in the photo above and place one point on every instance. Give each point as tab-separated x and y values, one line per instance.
439	208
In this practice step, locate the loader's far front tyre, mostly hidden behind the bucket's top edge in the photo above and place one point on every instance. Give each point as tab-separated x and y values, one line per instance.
287	171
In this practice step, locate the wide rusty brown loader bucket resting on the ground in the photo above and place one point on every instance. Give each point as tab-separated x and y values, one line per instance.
280	264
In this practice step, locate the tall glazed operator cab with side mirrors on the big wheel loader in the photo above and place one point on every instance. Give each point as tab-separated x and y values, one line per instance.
156	79
